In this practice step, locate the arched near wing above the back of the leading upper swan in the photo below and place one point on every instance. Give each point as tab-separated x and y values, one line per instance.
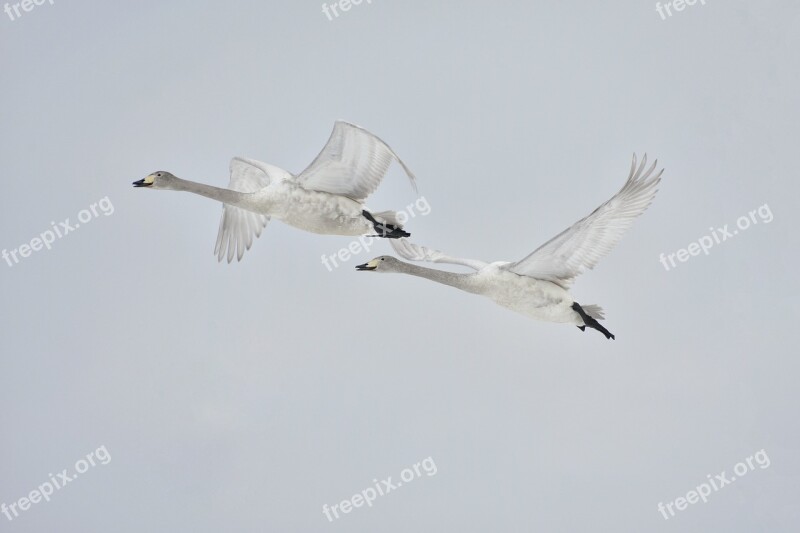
352	163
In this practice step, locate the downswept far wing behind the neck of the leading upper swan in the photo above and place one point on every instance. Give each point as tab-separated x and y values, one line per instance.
238	226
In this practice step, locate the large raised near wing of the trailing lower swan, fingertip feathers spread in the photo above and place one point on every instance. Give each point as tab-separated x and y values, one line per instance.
582	245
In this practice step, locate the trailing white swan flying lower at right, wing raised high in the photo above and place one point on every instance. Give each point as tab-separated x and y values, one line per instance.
538	285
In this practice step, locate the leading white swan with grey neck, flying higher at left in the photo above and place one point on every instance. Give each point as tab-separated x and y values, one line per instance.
327	197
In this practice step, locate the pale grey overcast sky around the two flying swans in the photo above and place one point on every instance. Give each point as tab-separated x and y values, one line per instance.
244	397
